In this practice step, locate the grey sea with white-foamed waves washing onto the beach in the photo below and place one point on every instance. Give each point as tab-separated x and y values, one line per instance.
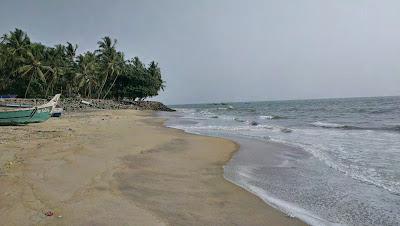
324	161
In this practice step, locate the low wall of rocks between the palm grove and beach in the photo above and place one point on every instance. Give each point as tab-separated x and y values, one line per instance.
81	104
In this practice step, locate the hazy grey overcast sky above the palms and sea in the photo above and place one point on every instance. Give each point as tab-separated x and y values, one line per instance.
225	50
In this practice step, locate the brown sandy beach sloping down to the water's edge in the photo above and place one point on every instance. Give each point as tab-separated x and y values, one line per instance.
120	168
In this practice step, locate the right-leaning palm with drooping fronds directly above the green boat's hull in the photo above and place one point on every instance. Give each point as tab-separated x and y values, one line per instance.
33	67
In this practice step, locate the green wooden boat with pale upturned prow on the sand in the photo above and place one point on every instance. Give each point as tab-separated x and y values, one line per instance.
28	115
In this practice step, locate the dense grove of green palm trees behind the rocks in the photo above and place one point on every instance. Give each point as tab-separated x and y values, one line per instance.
31	69
